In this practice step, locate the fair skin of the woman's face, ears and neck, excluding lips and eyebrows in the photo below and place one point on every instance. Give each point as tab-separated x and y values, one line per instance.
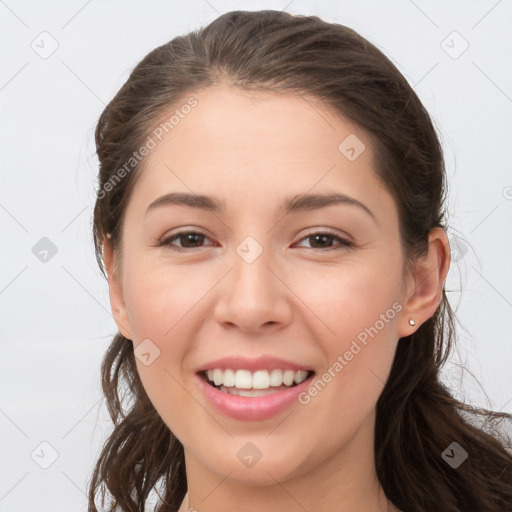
303	299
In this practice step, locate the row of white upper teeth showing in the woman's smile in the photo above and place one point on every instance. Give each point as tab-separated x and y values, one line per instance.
260	379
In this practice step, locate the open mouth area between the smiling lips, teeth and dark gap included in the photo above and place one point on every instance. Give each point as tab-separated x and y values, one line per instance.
253	384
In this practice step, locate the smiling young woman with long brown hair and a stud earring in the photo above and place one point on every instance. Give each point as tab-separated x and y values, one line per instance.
270	219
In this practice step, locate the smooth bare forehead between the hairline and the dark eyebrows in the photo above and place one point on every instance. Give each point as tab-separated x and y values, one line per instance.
252	146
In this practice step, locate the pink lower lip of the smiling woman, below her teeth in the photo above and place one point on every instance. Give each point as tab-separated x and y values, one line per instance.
252	408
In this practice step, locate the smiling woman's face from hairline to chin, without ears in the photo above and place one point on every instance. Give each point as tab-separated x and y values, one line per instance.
260	280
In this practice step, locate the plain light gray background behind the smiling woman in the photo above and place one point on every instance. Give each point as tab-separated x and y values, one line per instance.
55	316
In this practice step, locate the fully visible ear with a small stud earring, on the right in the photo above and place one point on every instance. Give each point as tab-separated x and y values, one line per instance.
425	284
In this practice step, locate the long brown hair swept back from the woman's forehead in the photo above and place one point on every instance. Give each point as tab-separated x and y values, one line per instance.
417	417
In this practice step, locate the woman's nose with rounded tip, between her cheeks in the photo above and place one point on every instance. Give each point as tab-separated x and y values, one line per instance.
253	297
